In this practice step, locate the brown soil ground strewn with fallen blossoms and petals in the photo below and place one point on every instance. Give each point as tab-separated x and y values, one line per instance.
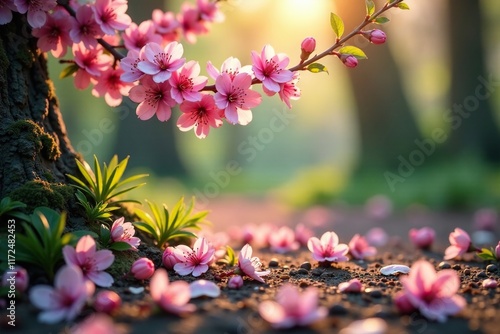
235	311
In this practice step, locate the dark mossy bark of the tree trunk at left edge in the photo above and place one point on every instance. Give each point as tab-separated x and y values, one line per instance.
34	146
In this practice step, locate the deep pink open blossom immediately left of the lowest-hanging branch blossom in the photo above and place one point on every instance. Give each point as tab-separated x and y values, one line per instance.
153	98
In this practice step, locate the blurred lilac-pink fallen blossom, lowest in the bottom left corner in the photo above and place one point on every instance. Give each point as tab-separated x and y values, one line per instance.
66	299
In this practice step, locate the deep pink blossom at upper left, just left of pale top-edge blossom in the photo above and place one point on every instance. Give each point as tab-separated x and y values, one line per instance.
84	28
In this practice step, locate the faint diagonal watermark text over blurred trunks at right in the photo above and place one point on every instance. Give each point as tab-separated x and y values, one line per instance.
453	117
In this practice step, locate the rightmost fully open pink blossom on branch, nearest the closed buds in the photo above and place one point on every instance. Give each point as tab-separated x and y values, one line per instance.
270	68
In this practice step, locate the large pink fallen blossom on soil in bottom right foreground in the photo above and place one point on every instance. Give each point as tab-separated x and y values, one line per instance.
433	294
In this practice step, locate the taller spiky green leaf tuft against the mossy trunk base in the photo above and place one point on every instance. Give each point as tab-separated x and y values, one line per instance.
97	189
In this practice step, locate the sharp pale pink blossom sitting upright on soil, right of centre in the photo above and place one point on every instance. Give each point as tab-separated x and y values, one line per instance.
328	248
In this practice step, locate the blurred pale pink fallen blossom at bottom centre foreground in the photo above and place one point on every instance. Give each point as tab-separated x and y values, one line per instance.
292	308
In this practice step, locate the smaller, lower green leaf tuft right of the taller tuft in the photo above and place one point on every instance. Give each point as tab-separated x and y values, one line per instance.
164	225
